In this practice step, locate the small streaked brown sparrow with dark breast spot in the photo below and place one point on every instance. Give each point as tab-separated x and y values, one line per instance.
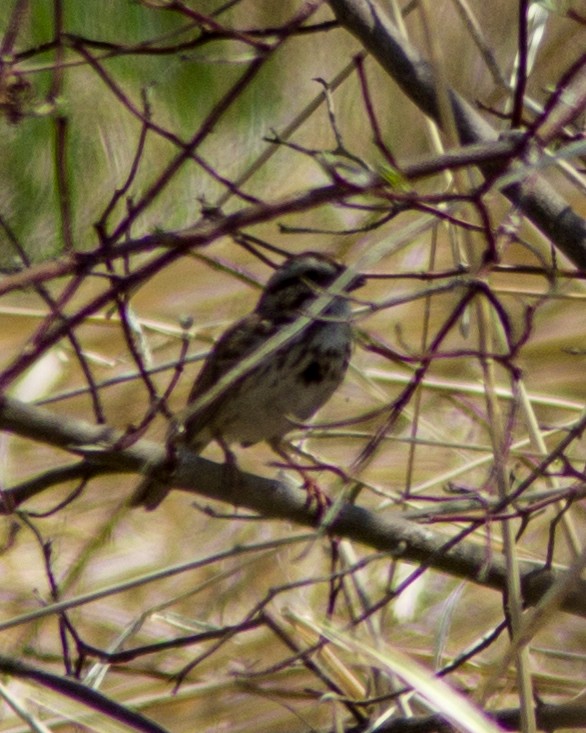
281	387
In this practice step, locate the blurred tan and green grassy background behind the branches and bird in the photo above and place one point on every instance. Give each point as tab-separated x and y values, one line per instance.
98	100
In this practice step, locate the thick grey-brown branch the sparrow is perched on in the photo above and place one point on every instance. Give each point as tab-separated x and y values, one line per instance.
402	538
